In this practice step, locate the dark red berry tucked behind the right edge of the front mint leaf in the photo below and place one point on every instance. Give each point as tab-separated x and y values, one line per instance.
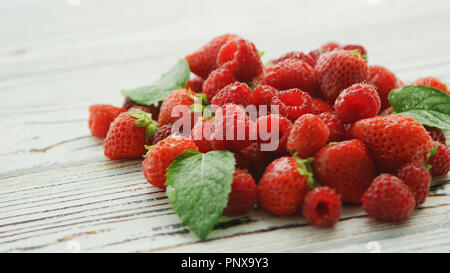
243	196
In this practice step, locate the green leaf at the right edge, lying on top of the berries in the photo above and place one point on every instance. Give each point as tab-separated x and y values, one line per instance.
427	105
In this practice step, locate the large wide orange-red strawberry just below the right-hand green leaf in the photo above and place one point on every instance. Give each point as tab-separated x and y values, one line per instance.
393	140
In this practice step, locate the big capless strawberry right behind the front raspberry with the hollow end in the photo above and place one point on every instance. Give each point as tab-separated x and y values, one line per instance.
347	167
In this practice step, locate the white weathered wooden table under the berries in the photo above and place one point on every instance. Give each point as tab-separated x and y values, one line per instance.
59	194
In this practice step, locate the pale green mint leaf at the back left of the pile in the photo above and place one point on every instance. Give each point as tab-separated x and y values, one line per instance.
175	78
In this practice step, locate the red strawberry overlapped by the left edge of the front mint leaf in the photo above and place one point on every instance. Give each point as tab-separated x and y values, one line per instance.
160	157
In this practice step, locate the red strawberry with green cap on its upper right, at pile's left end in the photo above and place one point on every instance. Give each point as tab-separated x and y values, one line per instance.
128	135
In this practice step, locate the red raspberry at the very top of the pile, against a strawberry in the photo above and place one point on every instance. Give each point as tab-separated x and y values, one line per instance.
242	58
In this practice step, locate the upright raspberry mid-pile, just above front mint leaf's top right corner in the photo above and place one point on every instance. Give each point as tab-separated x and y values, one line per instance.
233	126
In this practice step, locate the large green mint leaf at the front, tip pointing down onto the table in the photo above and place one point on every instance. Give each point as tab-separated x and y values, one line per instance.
198	186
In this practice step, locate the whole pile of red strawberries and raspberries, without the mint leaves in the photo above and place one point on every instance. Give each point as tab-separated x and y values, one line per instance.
337	138
